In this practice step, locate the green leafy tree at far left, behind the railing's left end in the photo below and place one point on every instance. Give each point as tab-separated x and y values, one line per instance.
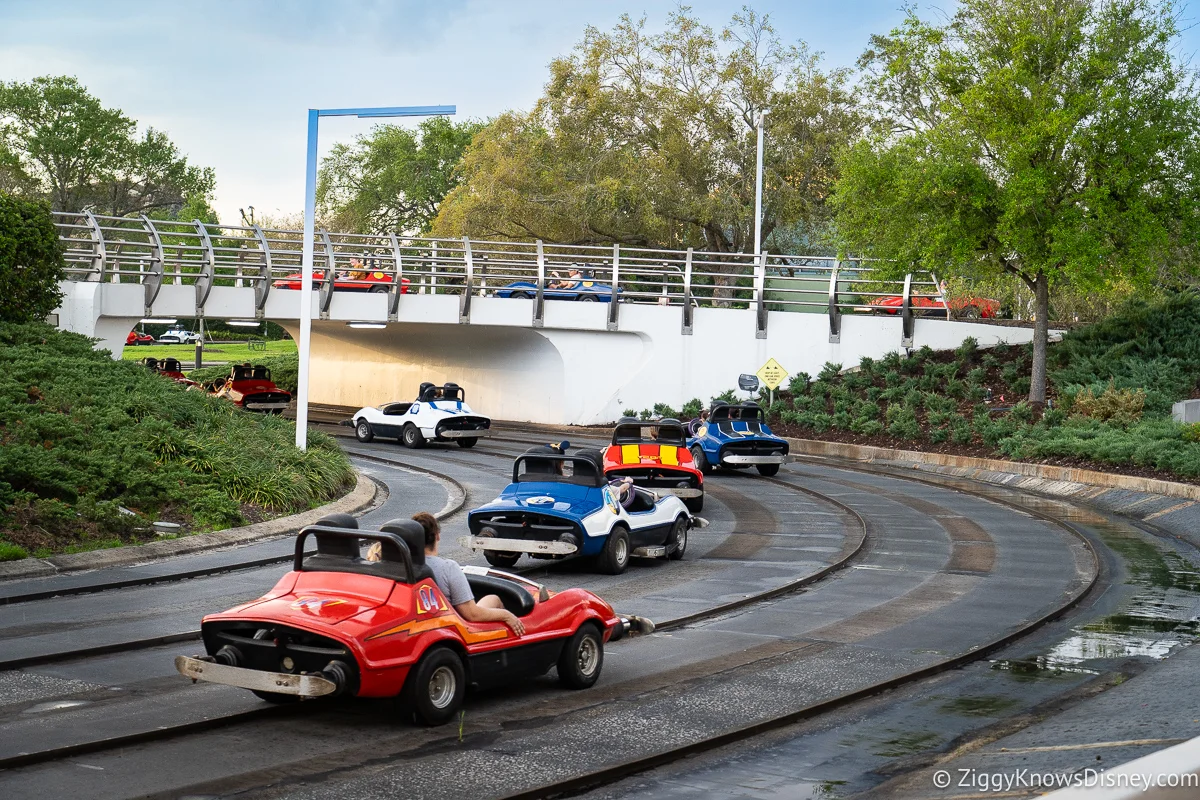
61	145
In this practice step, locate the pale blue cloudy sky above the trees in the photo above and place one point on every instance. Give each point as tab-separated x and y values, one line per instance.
230	82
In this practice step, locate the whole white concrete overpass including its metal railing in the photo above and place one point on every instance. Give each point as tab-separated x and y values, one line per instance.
687	324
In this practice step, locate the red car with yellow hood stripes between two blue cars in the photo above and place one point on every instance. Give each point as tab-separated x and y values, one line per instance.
656	455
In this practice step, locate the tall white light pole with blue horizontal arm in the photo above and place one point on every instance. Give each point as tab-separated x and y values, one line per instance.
310	214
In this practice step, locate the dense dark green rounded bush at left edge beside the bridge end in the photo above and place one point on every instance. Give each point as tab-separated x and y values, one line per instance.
31	261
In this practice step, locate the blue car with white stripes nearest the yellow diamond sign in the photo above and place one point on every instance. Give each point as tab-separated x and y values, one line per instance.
737	437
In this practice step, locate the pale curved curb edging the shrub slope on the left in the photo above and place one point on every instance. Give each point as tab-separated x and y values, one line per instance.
359	500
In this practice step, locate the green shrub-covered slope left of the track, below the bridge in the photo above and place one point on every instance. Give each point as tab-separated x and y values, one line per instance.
83	436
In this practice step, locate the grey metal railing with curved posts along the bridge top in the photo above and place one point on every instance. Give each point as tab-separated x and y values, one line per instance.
153	252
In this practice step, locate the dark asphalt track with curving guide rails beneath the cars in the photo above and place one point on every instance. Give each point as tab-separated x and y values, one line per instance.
934	578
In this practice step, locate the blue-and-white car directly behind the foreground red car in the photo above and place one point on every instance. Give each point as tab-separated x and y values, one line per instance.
560	506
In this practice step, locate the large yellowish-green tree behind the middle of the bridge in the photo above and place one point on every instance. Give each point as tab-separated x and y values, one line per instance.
651	140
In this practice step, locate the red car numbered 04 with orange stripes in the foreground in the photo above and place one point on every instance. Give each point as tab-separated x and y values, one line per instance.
343	625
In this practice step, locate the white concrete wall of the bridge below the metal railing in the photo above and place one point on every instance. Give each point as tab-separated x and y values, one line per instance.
571	371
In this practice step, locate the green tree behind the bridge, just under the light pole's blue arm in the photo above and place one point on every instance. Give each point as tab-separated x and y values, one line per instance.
393	179
